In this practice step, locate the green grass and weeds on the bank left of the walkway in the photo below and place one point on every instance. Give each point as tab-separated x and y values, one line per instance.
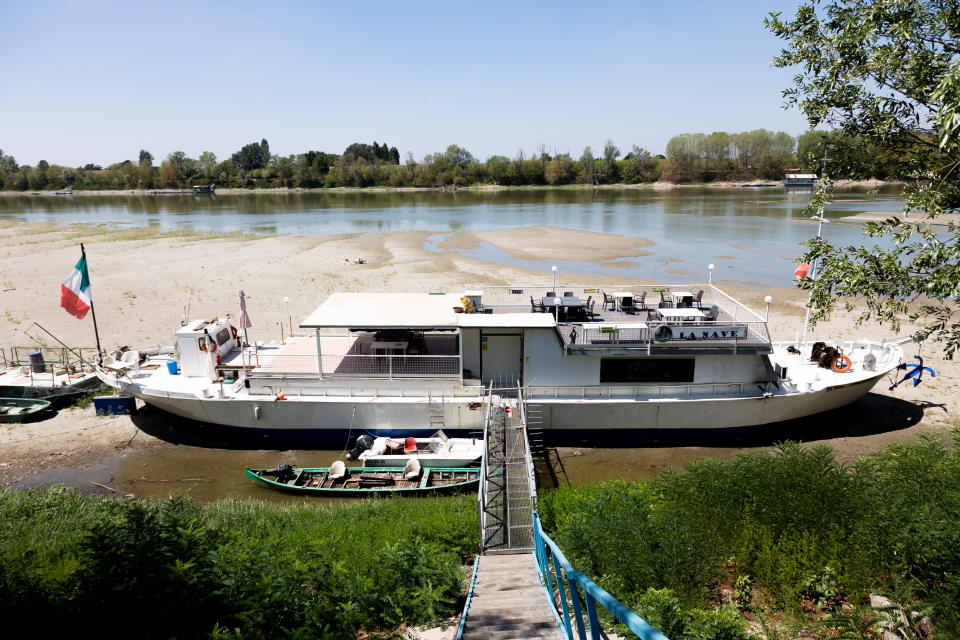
231	569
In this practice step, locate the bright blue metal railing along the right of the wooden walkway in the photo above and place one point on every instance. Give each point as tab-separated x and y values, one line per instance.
572	587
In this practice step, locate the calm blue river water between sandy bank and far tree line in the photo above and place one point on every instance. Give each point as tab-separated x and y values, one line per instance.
740	230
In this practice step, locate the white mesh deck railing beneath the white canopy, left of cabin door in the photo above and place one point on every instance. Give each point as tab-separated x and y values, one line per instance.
353	365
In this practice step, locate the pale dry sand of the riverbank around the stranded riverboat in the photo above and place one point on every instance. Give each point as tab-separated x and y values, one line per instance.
142	281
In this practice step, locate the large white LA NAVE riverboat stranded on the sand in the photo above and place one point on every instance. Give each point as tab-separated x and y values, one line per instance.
686	366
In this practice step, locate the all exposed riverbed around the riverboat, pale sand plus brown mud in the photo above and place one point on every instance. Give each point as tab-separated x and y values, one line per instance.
142	281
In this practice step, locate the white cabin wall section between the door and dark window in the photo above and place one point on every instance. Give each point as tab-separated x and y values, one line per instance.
545	365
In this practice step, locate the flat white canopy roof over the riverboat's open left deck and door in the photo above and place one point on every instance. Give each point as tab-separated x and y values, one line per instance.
410	311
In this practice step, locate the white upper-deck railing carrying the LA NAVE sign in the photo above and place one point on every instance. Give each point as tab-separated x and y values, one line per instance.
660	336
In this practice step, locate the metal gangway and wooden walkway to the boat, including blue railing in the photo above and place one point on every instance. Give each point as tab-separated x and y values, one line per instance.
522	585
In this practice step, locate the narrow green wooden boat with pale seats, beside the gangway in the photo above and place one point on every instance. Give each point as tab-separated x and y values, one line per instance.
340	481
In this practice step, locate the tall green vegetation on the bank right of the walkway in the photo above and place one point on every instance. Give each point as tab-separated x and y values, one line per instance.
791	533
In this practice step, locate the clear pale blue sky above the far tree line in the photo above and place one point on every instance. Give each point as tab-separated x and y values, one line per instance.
98	81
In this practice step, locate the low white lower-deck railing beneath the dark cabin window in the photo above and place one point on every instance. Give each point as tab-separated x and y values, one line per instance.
691	390
